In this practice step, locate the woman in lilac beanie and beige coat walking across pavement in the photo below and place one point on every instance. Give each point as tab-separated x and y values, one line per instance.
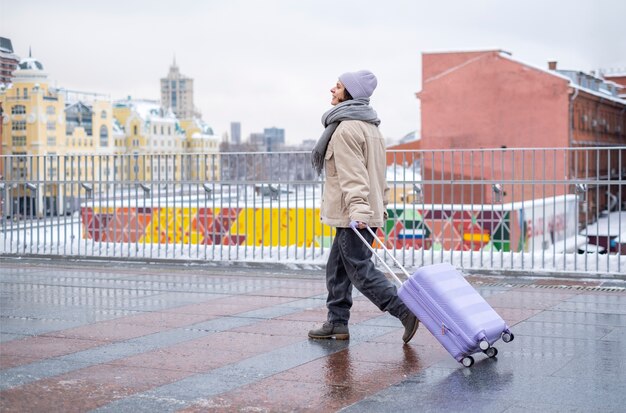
351	151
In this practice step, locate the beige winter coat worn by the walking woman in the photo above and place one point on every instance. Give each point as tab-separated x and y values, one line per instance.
356	188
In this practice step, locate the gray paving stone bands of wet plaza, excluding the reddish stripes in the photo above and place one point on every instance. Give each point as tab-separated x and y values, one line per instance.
569	356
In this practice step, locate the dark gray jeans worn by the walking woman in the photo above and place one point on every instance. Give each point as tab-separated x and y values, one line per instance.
350	264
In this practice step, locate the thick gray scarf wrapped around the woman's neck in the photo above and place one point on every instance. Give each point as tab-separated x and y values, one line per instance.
354	109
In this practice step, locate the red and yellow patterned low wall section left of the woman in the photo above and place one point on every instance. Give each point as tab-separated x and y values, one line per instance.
205	225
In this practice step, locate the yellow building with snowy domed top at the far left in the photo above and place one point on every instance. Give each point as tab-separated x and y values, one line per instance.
57	131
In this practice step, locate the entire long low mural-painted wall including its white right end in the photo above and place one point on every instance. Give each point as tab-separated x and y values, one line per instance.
509	227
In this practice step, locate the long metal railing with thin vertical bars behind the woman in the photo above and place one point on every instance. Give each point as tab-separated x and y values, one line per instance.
547	210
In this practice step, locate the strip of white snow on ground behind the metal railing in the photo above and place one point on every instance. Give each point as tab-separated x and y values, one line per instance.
62	237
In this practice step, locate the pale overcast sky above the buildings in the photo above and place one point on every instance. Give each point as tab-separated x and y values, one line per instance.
272	62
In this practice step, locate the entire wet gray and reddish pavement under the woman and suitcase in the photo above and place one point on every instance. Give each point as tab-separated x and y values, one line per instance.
111	337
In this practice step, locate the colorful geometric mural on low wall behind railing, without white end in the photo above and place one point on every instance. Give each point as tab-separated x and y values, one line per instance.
405	227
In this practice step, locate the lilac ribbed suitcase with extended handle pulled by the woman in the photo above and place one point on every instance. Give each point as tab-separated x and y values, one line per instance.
451	309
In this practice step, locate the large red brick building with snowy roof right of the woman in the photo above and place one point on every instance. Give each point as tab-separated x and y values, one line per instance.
487	99
